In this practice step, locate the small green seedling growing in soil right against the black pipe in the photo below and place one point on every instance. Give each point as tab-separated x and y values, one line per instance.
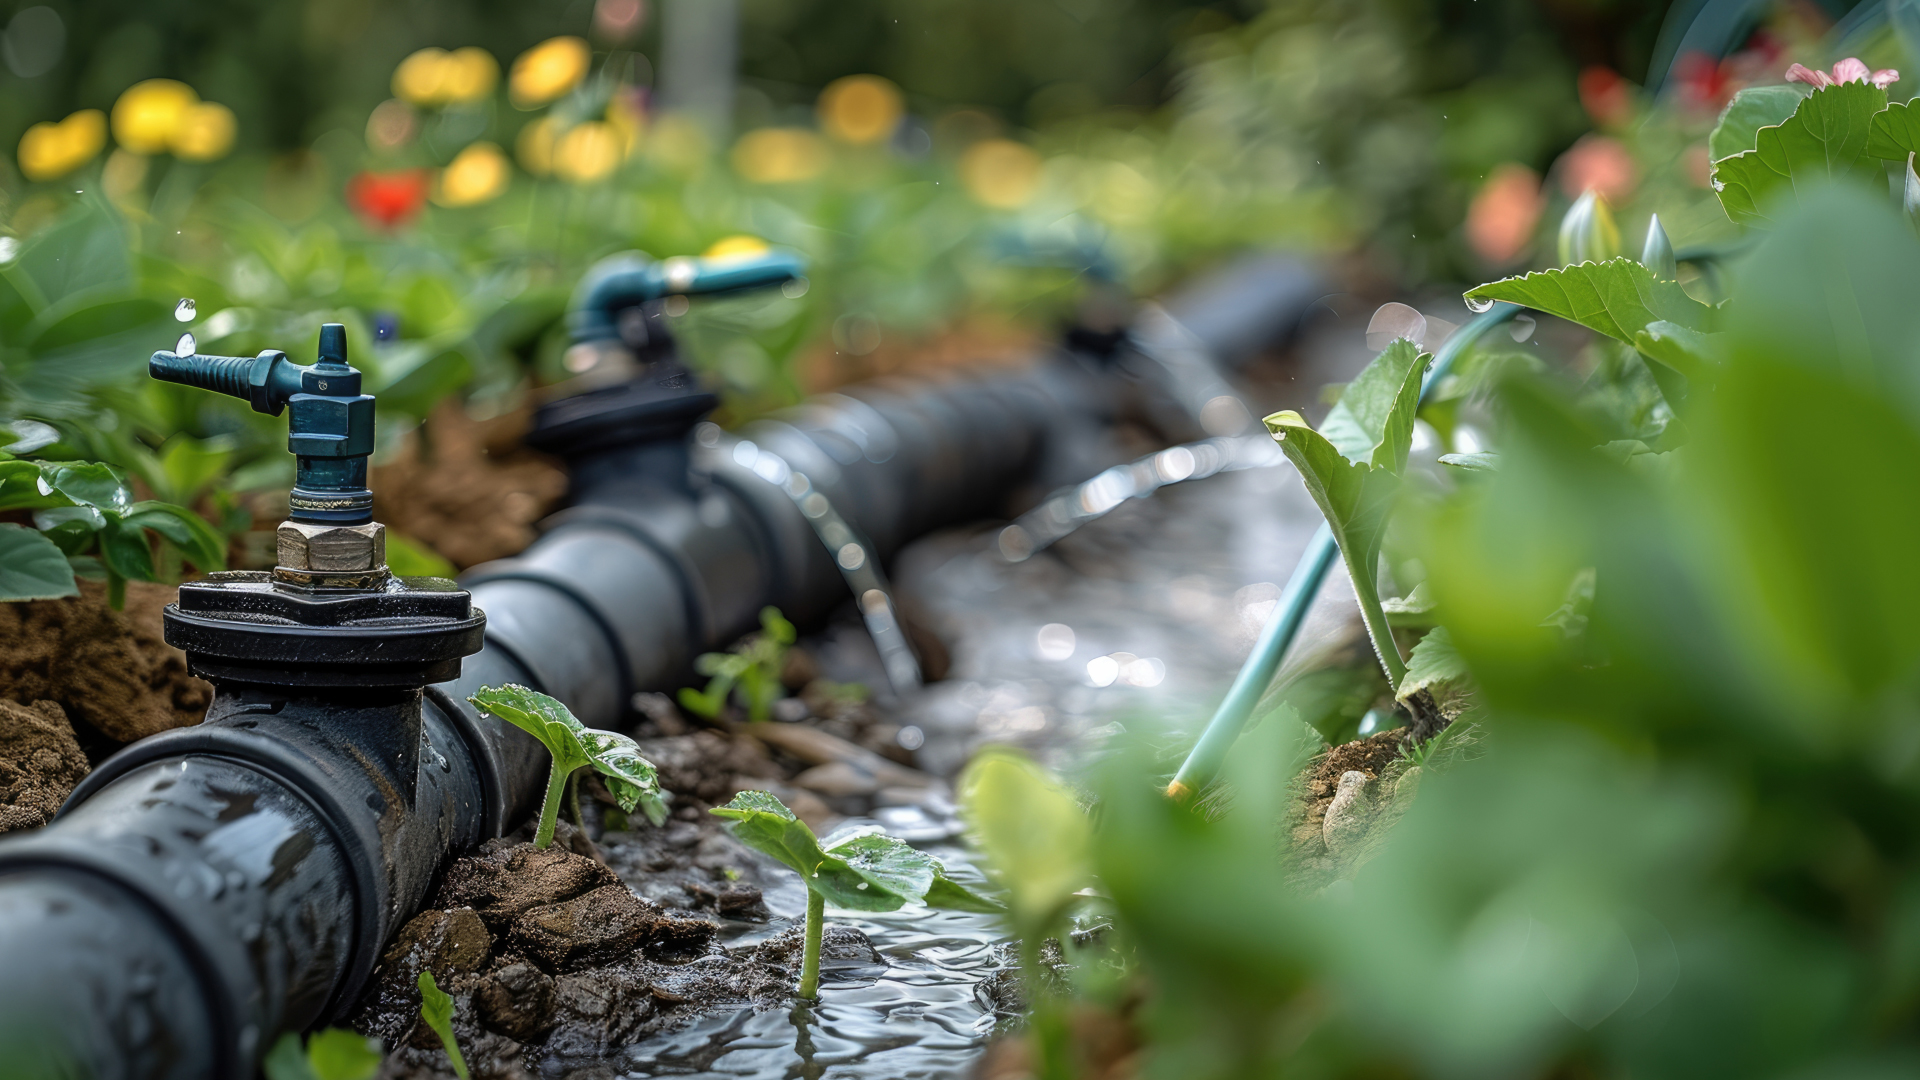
631	777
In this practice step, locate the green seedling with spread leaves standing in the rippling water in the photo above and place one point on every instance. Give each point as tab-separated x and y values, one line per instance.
861	873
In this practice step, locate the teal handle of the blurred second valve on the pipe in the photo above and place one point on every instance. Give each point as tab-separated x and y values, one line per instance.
627	282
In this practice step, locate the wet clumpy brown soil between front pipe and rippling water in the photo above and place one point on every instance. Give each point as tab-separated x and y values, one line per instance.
552	956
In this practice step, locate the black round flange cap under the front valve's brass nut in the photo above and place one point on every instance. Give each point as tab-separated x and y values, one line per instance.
412	633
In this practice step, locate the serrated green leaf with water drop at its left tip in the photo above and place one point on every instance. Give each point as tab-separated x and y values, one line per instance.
1620	299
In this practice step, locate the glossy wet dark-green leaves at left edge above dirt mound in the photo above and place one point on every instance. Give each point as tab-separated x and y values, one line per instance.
87	524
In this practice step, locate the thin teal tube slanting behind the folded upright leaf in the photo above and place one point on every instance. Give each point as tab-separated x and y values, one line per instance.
1230	720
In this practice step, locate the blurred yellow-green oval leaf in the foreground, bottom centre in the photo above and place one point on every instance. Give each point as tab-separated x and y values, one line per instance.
1034	833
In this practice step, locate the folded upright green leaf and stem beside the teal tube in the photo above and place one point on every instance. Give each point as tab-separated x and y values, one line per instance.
1356	479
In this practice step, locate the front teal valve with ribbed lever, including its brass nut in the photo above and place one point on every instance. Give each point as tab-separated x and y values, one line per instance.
329	539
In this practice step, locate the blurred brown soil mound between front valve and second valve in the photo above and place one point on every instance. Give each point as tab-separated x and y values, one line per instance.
468	489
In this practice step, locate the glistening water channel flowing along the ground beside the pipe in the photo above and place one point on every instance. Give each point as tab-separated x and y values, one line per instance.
1140	616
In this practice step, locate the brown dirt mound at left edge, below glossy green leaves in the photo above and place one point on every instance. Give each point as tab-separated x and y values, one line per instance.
108	670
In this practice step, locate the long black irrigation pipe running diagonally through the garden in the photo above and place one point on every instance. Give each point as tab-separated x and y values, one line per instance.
212	887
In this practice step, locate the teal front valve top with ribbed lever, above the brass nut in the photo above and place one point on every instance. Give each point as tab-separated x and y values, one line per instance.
331	430
